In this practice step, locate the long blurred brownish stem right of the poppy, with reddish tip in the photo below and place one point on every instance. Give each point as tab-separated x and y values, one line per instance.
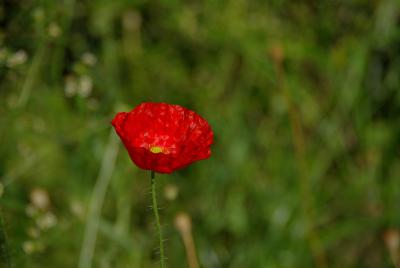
306	197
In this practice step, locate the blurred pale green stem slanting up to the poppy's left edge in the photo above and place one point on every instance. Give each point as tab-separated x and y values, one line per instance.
96	202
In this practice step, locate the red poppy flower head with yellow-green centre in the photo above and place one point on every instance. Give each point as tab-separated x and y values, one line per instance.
164	137
